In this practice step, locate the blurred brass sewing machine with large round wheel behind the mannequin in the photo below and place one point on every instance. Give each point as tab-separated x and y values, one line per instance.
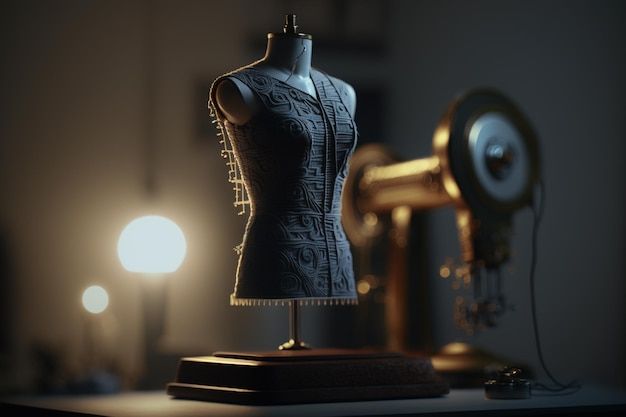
485	163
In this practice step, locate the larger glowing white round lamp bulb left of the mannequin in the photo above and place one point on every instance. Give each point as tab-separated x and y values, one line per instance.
152	245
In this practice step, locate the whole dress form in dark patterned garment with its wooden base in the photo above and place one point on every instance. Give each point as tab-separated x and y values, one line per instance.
288	133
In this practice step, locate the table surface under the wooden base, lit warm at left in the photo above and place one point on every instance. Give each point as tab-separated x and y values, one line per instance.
157	403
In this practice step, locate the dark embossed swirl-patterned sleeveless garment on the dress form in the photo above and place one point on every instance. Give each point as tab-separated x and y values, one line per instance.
292	157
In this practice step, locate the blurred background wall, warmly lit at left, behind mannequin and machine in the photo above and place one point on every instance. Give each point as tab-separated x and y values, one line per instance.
88	86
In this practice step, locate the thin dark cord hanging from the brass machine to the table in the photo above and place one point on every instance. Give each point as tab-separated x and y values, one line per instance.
558	387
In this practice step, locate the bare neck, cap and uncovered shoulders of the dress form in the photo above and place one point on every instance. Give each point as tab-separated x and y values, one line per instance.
288	59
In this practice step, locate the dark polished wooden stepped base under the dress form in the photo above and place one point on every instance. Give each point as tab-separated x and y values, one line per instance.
306	376
